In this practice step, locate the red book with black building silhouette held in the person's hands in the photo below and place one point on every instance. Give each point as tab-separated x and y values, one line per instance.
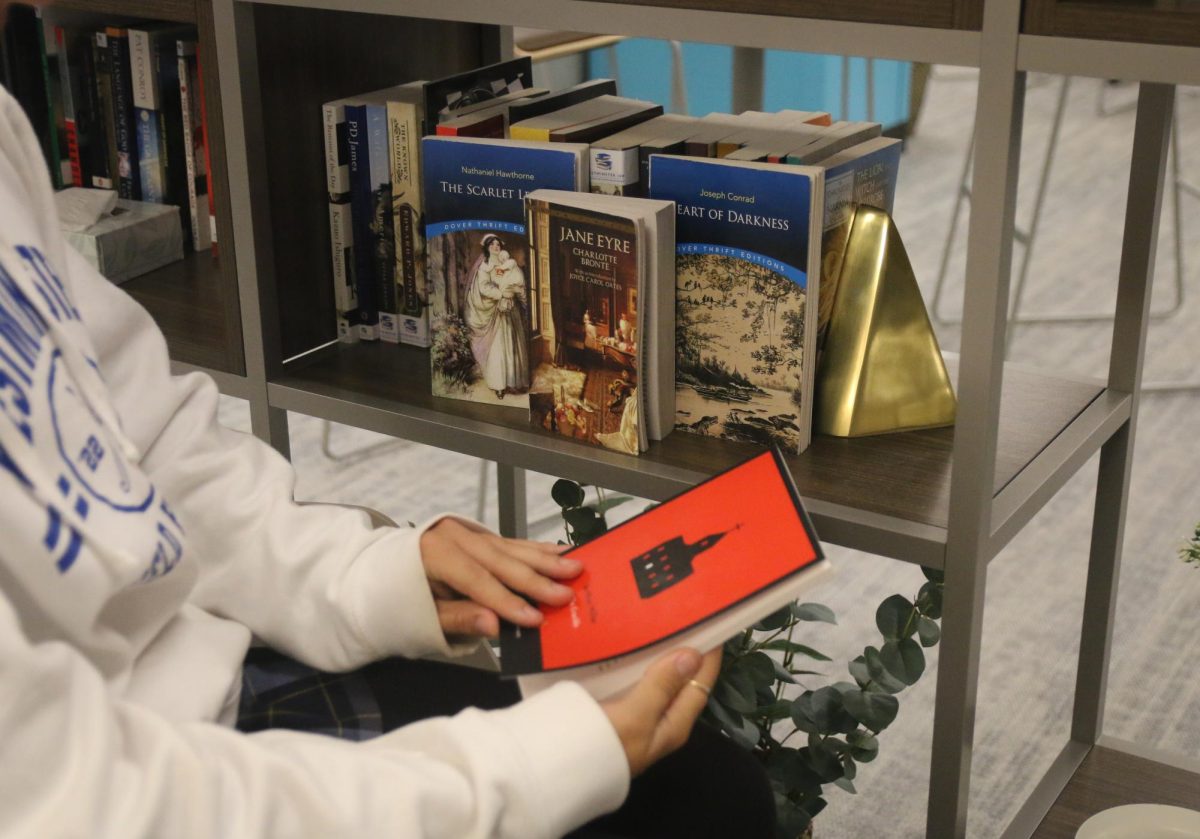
692	572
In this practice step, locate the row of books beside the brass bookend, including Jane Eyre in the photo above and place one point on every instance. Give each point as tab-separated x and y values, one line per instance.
710	325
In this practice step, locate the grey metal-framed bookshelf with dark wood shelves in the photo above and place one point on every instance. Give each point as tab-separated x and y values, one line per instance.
262	320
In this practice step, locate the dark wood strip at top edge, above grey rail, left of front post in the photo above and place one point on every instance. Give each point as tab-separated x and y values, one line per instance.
937	14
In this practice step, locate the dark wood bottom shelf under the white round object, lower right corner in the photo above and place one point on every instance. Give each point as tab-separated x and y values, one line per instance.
1112	778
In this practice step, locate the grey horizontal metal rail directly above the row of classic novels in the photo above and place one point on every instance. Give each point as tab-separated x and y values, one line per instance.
772	32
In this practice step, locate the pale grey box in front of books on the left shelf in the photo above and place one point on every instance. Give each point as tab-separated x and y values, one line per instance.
135	239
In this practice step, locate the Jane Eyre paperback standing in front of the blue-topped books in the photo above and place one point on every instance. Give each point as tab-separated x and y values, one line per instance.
602	347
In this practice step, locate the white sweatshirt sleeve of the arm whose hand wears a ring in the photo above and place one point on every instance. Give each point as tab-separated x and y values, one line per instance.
77	762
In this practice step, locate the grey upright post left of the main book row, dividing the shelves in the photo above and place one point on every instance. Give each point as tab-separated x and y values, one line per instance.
250	205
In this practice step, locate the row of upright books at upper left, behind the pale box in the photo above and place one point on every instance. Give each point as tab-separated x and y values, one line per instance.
118	107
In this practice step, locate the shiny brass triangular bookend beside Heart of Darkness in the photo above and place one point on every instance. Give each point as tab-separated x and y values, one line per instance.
881	369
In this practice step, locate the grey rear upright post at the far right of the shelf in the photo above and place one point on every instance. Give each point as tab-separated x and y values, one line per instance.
1153	130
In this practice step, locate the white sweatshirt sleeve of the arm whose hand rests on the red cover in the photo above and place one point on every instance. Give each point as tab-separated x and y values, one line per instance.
317	583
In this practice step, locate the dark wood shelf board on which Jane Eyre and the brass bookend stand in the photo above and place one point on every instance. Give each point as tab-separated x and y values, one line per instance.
873	487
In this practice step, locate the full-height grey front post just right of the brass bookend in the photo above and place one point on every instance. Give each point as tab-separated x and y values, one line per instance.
999	116
